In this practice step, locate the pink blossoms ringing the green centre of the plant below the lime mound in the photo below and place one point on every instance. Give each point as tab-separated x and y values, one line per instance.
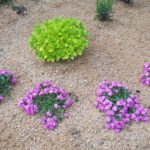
50	121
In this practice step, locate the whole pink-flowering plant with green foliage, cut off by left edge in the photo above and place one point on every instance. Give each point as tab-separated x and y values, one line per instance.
7	80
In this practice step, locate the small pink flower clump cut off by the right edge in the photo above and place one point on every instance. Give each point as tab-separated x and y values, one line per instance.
145	77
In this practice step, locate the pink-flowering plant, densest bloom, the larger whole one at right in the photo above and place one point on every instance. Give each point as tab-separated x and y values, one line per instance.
119	105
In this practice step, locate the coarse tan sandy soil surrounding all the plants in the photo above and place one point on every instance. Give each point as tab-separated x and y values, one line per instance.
117	50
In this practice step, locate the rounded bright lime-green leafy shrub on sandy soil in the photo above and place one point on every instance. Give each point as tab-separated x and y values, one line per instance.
59	39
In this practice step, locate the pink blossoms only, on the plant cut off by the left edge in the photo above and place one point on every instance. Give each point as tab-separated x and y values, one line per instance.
11	80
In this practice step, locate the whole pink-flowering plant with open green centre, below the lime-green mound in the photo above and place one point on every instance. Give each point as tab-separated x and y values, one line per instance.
50	101
